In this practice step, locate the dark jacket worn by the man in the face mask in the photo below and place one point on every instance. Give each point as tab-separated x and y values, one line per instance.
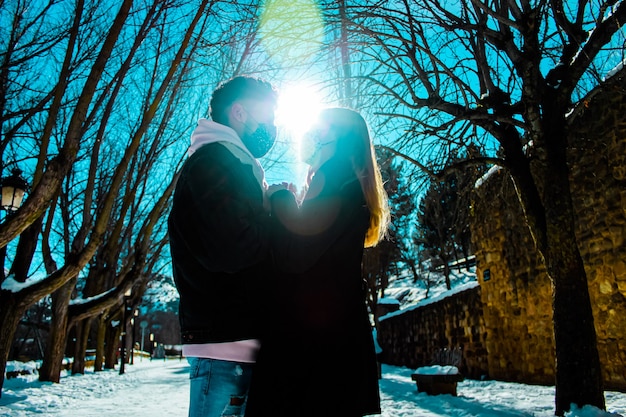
219	241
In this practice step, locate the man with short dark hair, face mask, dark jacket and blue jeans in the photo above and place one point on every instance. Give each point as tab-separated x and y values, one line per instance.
219	236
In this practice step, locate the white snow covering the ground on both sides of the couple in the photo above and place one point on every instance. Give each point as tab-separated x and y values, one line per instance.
159	388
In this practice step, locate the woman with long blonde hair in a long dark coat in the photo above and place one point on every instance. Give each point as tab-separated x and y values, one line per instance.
320	324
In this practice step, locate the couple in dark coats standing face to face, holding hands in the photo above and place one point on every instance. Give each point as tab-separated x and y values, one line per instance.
272	300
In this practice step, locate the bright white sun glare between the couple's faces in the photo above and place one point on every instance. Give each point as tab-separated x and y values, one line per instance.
298	107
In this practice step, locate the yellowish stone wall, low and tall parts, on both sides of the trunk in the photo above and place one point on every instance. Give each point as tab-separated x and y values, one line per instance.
505	325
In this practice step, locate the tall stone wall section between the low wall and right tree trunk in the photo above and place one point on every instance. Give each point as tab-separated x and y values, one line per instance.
516	291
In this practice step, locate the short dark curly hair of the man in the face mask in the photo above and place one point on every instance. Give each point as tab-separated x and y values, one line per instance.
238	88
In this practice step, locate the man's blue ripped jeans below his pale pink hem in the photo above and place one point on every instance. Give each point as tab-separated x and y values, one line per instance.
218	388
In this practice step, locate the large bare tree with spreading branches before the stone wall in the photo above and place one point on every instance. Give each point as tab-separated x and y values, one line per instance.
504	75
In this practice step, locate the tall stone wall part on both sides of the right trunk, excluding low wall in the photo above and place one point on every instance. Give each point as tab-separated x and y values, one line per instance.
516	291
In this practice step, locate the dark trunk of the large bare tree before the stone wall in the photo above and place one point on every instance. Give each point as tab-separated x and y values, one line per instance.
578	371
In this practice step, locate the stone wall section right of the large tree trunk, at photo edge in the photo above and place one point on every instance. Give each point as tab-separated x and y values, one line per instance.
599	179
